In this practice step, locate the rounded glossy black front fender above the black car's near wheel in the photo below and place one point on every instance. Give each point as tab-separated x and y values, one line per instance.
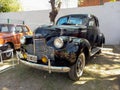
73	49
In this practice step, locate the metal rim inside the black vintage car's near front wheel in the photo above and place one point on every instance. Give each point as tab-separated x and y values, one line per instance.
80	65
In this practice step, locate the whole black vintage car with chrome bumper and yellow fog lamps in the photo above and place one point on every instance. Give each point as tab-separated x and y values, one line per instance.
64	47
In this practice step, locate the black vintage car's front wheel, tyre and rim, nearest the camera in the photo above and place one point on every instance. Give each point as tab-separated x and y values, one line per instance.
77	69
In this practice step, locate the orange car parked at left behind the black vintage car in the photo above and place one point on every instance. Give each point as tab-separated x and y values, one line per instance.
10	35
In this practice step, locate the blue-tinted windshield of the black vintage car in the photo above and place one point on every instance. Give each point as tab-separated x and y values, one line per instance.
73	20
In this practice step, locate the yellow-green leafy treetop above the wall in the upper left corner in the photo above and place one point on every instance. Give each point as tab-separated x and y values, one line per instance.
9	5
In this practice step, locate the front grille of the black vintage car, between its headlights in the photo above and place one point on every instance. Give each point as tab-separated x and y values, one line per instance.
39	48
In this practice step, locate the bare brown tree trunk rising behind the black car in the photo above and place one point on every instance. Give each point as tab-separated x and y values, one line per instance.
55	7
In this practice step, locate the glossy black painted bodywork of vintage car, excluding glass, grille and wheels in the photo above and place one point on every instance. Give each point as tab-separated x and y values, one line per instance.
77	39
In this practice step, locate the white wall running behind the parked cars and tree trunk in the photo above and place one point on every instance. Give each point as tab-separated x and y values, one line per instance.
108	15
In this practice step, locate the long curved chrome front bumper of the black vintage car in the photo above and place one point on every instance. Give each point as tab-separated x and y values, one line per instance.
45	67
